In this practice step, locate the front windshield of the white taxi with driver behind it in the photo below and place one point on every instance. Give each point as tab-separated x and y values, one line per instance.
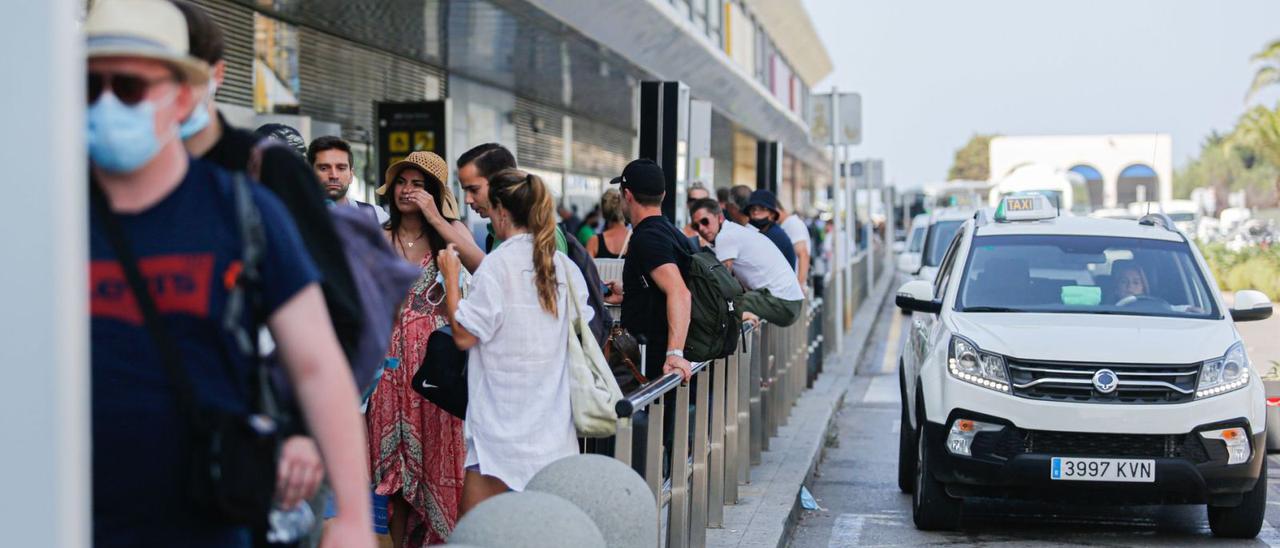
1084	275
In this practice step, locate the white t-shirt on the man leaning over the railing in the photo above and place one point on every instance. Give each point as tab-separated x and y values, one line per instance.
757	262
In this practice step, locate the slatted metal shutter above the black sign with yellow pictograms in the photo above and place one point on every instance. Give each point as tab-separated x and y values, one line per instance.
341	80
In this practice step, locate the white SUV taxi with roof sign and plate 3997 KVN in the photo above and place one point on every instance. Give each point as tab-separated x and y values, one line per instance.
1080	360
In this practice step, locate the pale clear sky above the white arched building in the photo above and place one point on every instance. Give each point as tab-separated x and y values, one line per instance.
935	72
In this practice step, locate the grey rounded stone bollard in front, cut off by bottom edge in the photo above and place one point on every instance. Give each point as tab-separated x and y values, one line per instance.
527	520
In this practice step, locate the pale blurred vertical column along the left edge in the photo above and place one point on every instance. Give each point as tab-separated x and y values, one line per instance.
44	327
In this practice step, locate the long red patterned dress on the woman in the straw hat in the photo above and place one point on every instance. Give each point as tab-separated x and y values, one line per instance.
417	450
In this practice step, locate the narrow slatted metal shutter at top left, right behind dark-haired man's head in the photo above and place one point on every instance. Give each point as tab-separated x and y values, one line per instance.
237	25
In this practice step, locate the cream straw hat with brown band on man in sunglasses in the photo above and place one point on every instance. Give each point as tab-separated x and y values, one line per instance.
143	29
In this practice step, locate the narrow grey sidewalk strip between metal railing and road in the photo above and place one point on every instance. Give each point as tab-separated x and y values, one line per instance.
770	504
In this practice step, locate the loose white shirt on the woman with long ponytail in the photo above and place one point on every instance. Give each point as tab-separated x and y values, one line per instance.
519	418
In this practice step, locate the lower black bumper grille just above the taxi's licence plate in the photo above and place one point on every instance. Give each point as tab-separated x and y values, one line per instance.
1012	442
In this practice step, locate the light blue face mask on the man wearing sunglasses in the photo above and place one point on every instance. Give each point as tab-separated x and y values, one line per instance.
122	139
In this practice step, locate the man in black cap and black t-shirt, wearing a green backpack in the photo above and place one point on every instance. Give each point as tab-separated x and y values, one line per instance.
656	303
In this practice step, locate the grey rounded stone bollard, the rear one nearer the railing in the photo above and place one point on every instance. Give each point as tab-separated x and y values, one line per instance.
610	492
